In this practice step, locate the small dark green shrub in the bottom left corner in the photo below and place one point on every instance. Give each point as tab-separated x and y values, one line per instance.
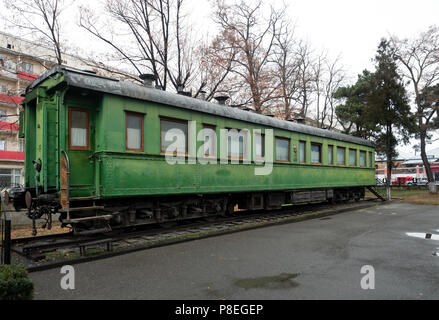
15	284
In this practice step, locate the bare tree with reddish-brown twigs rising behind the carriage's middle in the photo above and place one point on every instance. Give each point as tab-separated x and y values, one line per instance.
253	37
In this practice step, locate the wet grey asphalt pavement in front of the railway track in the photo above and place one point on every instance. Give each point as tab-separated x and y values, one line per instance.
315	259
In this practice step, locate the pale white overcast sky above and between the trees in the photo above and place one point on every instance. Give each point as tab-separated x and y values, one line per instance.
351	29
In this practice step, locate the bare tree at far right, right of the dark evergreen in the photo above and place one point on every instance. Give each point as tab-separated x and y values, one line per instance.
419	62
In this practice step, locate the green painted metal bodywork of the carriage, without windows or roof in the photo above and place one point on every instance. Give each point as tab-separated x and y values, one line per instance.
107	169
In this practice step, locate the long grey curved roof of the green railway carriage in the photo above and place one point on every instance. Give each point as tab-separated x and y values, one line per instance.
87	80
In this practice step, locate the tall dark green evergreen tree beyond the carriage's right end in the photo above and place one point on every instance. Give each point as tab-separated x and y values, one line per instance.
377	106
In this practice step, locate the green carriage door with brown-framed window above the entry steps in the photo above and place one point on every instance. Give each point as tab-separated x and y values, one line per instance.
80	151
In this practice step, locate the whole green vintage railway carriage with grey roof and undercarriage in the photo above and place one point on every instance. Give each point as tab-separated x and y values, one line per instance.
96	150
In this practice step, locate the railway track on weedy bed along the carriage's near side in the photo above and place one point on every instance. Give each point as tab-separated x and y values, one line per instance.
45	252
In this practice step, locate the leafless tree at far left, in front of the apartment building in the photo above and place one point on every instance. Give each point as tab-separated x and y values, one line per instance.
41	18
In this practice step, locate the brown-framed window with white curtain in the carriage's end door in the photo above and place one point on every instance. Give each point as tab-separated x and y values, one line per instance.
79	129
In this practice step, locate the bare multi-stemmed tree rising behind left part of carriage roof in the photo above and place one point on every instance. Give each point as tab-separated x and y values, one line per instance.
143	33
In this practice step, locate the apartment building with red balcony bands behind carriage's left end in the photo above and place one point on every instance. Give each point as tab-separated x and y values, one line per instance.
21	62
